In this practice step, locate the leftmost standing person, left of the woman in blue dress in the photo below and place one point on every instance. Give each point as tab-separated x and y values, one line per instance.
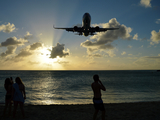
8	96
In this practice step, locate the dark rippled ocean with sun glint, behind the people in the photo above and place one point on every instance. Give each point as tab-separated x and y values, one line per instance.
74	87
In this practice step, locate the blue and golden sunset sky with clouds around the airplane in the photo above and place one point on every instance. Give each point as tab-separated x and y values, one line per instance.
28	40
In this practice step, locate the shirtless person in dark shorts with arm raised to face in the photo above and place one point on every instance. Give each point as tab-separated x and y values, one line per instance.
97	86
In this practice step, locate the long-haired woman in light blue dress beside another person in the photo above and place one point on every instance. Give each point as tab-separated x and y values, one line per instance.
18	95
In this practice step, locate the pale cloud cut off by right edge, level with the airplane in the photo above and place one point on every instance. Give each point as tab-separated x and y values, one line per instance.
155	37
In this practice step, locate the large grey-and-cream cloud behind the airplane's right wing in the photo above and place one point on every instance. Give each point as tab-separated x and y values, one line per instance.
110	35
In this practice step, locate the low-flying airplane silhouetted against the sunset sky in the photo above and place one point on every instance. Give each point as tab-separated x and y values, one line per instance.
86	28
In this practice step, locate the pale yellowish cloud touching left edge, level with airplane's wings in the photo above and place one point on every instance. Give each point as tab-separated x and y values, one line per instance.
7	28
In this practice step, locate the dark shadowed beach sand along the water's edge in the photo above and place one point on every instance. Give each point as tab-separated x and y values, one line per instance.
114	111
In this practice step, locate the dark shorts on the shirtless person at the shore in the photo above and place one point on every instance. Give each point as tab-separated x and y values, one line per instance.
98	104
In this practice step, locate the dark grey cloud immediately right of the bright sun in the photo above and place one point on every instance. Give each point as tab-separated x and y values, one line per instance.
58	50
